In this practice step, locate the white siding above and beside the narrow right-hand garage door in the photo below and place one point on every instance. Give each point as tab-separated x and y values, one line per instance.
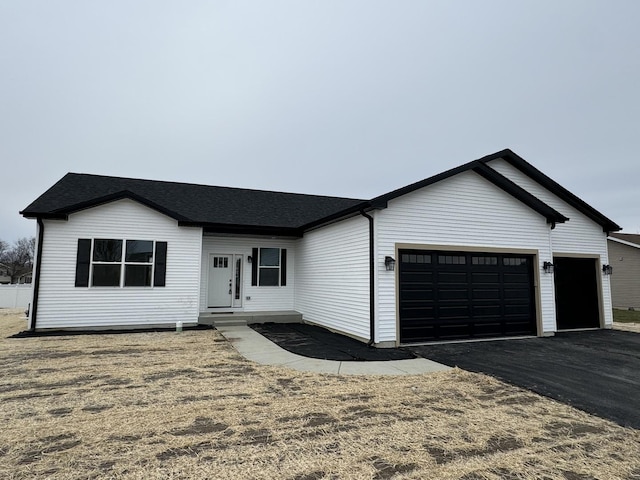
580	235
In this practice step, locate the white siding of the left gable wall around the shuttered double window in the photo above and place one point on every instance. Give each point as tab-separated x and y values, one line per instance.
61	304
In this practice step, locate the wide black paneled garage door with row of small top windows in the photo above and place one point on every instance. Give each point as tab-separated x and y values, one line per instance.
463	295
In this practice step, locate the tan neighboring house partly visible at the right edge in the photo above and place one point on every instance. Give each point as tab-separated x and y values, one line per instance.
624	252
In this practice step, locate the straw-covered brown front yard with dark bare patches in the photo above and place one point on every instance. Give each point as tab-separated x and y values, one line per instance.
167	405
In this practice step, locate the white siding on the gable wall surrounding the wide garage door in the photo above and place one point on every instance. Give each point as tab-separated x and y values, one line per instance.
463	211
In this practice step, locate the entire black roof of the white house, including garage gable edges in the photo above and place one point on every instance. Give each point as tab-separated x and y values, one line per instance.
237	210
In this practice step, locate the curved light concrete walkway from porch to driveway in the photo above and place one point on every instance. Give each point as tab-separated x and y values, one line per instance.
253	346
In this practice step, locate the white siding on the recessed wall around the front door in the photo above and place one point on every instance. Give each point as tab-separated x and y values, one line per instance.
262	298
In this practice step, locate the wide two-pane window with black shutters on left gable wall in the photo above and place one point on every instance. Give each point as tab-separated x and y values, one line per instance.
108	262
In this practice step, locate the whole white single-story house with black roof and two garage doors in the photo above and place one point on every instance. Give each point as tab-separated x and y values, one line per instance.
472	248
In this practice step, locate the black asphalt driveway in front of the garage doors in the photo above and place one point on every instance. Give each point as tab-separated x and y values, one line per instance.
595	371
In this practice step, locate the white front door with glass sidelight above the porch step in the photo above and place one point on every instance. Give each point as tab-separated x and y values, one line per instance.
225	281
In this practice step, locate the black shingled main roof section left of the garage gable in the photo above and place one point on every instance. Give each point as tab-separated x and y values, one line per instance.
189	203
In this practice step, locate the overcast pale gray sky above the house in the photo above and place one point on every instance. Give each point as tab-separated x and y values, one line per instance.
348	98
